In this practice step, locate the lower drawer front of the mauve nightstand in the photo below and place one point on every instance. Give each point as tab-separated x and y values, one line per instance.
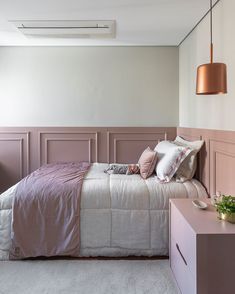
181	271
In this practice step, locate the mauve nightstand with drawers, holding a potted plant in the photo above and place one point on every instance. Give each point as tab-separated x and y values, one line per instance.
202	249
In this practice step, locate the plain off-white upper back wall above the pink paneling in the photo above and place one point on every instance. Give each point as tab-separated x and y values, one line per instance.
89	86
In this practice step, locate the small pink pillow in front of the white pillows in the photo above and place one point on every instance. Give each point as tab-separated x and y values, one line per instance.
147	162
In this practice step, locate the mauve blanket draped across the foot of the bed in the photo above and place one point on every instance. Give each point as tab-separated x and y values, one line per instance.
46	211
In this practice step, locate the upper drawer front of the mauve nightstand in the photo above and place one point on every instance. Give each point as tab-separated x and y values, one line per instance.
185	239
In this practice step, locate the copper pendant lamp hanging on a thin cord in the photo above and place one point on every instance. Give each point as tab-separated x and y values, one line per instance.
211	77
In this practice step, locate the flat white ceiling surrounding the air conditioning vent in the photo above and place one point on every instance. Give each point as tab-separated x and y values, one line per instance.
138	22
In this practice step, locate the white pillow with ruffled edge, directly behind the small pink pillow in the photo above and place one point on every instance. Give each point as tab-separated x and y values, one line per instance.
170	156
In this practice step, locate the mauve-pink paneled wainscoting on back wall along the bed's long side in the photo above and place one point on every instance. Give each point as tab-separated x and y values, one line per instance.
22	150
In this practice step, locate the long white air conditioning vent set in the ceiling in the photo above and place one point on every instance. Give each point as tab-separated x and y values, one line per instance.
67	28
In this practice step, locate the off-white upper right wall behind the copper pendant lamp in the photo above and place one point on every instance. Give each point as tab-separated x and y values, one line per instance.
216	111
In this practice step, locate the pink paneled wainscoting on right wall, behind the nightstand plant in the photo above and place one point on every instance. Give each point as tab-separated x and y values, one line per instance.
216	168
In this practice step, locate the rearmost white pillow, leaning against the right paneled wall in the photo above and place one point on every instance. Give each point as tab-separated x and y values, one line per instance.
188	167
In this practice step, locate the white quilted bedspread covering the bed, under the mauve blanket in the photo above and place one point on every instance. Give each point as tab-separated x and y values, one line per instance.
120	215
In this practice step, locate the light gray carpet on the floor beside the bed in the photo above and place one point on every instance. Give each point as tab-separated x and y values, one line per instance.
87	276
